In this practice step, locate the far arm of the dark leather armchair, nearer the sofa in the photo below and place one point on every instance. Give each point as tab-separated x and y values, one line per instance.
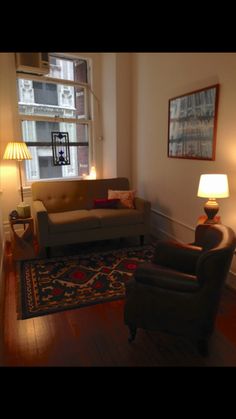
174	255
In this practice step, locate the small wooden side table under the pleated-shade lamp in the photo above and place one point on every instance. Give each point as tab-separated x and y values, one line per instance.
23	244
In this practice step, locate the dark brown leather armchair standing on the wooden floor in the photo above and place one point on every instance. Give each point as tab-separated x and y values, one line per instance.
179	291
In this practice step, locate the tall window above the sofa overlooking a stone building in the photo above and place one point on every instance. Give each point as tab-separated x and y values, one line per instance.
56	102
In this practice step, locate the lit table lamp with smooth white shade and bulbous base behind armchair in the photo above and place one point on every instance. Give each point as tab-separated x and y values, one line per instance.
212	187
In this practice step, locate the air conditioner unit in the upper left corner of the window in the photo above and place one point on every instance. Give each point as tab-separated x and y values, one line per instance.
32	62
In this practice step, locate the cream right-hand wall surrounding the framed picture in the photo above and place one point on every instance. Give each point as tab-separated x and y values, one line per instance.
171	184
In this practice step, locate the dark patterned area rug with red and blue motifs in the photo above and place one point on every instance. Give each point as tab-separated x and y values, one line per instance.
51	285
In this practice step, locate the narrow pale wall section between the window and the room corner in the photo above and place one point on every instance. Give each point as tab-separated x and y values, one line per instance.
116	110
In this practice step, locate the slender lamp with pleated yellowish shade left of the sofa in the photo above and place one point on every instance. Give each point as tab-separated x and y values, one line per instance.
19	151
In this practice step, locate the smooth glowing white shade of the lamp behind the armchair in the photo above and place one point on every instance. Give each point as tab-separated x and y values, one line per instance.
213	186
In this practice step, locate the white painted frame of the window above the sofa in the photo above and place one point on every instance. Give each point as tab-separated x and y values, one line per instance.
78	120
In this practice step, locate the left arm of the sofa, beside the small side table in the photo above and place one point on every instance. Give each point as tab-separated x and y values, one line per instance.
40	215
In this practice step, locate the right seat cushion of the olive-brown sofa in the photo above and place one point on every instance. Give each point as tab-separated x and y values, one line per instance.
117	217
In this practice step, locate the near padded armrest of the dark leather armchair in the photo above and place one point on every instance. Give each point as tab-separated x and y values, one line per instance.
158	276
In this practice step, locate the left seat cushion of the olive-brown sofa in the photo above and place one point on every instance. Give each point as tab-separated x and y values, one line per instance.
72	221
